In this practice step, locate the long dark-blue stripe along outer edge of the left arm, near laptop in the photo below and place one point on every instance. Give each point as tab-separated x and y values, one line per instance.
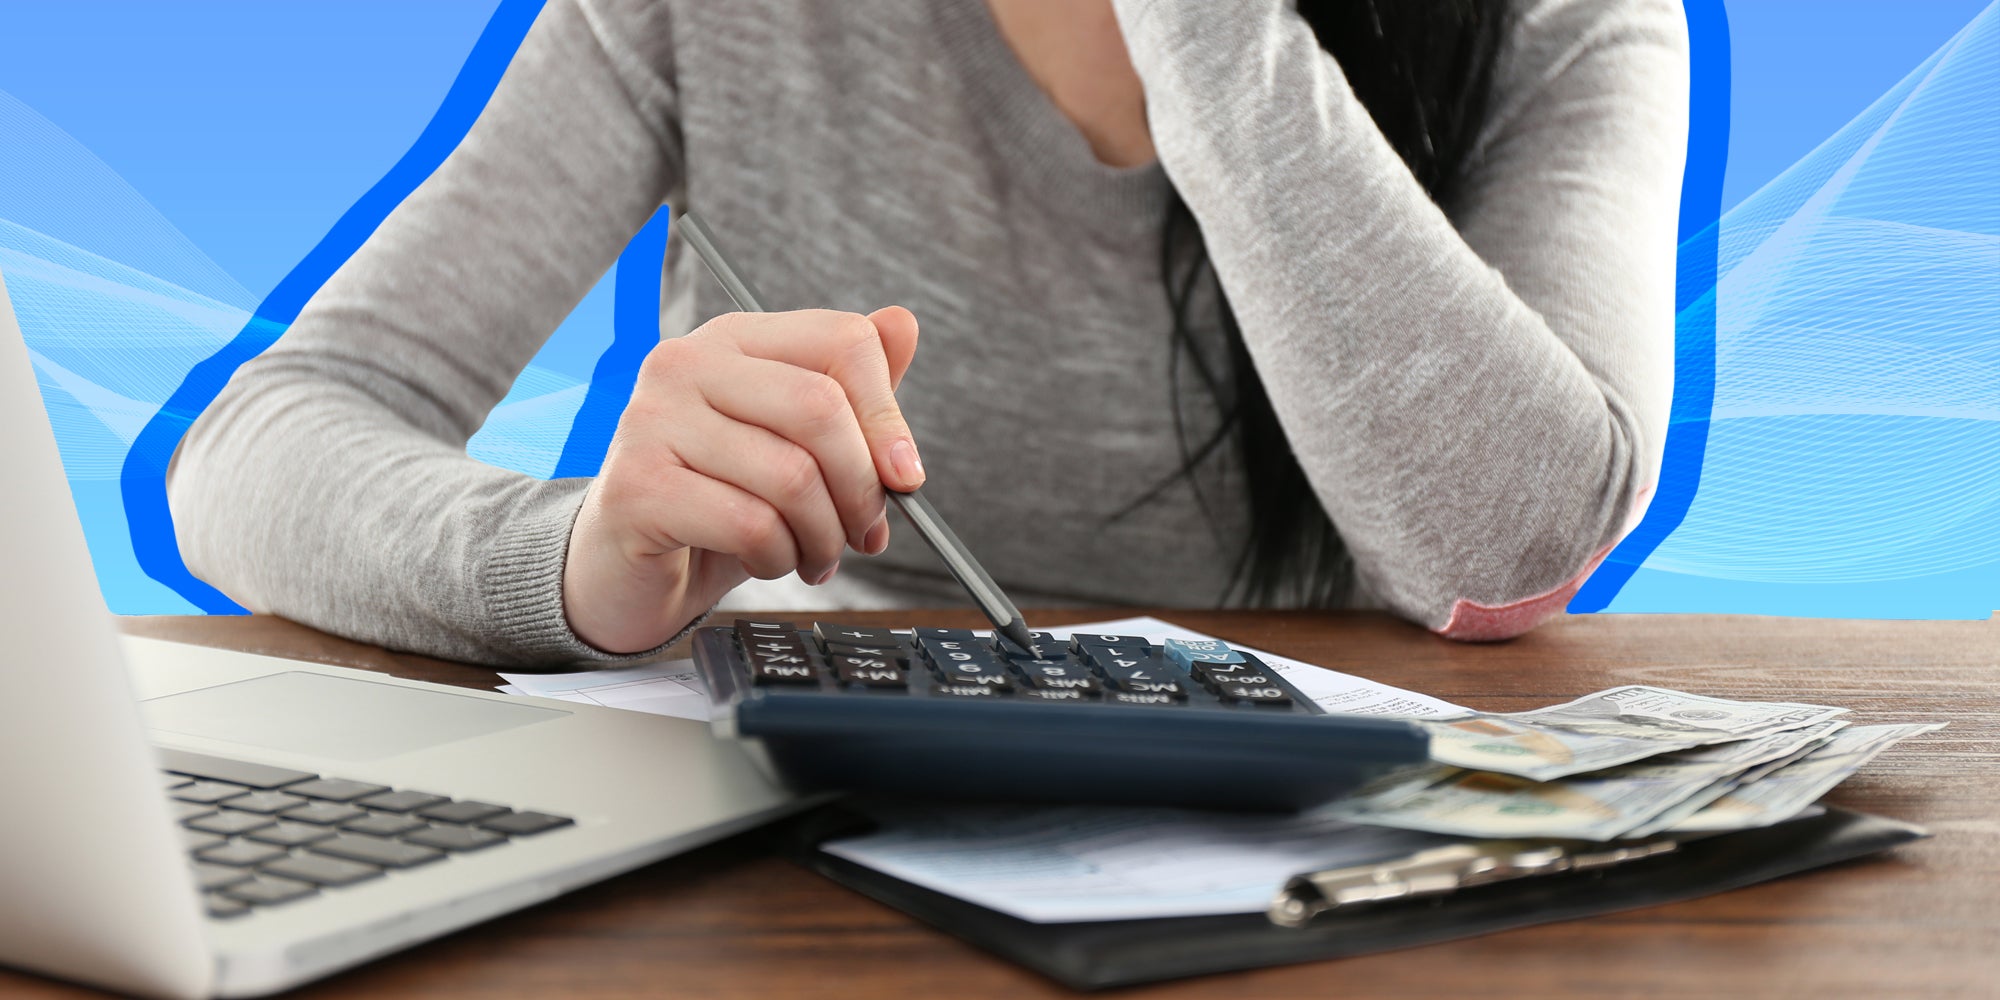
143	477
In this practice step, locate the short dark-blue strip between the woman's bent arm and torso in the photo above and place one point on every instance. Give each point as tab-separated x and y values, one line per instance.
635	333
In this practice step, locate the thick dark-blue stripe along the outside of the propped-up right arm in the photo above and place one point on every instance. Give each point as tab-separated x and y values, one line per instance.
1695	307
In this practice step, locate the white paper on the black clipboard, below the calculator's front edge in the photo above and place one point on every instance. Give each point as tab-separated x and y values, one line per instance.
1099	863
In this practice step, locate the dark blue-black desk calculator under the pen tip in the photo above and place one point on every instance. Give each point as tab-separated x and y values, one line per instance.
949	713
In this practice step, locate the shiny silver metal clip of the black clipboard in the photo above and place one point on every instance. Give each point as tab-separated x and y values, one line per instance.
1449	869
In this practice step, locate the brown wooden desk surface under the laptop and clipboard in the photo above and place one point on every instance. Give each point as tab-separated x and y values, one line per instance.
1923	921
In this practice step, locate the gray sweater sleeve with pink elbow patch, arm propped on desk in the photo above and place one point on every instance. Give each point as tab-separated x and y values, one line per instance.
1483	405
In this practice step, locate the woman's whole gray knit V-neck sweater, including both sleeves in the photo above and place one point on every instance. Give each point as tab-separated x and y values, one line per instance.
1479	397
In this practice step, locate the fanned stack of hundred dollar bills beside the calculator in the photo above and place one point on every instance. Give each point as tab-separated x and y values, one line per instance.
1625	763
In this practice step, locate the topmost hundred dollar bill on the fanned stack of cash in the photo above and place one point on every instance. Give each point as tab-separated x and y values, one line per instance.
1609	729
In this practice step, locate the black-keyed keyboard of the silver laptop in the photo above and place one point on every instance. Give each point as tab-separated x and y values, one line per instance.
265	837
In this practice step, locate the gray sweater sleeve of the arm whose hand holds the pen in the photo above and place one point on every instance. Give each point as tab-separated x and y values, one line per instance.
329	481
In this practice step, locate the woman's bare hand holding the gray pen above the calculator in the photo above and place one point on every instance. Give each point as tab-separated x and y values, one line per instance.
753	447
